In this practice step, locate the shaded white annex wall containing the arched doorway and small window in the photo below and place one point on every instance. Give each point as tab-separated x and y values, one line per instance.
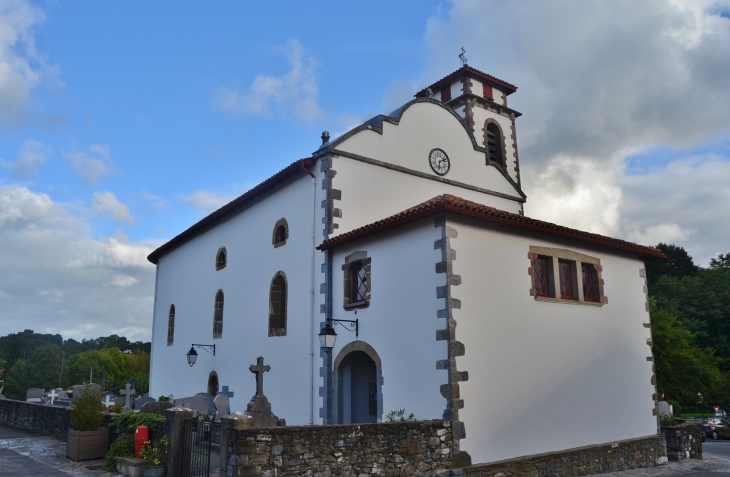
401	321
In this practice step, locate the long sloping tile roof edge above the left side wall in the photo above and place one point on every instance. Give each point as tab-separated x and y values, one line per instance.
232	207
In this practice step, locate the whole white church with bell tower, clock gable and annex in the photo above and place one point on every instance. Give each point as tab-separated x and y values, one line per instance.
395	268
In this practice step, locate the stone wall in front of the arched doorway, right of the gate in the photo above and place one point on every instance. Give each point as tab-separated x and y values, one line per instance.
403	448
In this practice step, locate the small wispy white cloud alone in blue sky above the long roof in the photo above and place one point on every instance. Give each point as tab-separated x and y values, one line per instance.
293	94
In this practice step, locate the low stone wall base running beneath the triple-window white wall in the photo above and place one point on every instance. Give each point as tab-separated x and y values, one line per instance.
612	457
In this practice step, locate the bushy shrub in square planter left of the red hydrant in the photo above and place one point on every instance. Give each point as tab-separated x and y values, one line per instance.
86	439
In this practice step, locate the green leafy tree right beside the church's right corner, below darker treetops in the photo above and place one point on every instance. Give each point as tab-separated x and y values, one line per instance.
682	368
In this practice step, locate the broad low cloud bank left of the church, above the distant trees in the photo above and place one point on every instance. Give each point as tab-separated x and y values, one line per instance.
57	277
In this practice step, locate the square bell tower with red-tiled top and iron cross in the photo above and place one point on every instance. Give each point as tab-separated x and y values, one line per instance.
481	101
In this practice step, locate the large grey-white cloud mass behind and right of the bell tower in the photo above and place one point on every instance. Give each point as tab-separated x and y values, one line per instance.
600	81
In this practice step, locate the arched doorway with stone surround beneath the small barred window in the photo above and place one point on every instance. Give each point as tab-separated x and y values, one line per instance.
357	384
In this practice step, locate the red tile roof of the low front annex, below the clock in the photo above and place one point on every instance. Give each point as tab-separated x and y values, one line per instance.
451	203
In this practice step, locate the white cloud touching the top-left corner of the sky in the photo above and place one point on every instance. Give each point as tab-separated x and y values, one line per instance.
22	68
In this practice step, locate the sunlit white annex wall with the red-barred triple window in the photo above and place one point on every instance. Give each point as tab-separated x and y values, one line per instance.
546	376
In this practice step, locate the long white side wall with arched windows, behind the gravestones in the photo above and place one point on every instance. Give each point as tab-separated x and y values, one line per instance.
187	277
